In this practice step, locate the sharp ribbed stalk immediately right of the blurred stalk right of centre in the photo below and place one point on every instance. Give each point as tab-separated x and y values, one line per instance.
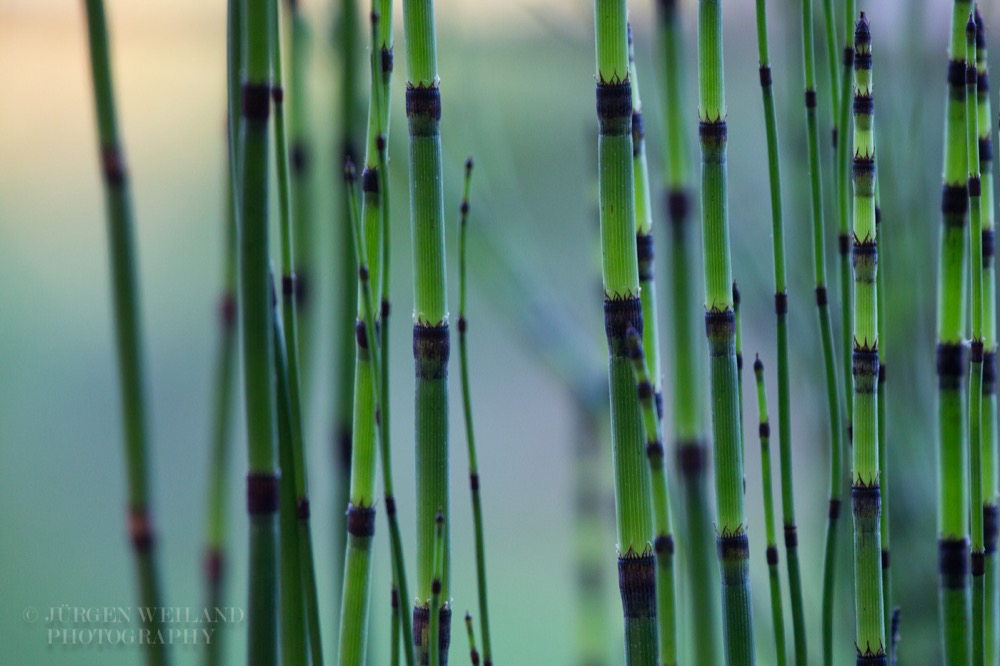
733	542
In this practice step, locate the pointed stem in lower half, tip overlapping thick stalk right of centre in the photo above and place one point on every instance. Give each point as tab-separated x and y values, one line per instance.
663	543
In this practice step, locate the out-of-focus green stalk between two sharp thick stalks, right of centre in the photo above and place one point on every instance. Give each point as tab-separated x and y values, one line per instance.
688	434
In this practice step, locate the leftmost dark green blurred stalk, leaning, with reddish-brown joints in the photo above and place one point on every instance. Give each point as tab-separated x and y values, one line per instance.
125	294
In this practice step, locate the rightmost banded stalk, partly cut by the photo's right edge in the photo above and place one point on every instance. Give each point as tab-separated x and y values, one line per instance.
989	407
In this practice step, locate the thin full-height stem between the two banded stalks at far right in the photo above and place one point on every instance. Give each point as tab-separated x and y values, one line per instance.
976	366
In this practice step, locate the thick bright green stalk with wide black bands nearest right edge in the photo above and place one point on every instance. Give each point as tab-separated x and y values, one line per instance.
953	507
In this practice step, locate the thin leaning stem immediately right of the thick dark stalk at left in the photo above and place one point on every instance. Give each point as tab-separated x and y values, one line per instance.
305	593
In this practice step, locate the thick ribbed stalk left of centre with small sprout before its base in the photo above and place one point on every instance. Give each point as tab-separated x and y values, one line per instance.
431	339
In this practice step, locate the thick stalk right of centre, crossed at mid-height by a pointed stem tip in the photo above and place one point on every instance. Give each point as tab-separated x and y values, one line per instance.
623	309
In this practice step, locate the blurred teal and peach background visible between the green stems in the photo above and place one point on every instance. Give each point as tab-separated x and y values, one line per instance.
517	88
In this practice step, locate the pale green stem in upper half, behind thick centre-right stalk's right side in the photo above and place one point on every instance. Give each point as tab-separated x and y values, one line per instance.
646	255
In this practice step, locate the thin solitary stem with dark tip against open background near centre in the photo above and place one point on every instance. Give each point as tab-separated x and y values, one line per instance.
477	508
